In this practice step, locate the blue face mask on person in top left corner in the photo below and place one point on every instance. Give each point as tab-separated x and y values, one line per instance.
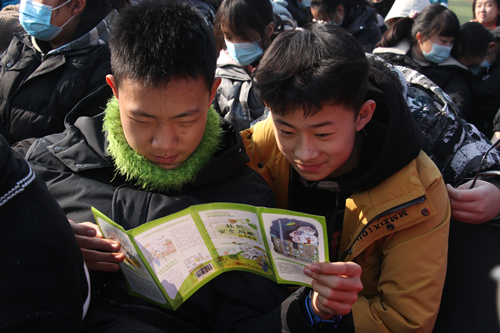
35	19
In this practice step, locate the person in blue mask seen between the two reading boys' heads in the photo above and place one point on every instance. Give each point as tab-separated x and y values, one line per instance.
243	30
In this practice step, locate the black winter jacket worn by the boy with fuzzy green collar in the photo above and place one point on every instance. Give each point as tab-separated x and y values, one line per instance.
79	174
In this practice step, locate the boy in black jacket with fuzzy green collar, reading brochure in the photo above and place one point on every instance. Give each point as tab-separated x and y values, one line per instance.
163	149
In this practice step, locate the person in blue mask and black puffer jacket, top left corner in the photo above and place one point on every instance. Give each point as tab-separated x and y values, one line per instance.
61	58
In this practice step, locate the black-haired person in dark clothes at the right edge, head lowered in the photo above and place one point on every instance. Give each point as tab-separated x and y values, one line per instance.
476	49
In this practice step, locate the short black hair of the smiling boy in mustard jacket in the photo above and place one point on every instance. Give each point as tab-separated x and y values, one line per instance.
304	69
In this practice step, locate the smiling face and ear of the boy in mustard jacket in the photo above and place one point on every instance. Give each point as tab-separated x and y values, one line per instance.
324	145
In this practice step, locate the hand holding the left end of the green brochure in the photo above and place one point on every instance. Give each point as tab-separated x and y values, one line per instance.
99	254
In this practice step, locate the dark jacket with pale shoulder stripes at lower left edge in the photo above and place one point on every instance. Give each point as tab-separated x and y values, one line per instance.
44	286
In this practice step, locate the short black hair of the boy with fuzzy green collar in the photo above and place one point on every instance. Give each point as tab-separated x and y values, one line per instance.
156	41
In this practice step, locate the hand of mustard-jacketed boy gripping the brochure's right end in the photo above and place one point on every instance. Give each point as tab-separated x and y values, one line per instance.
336	287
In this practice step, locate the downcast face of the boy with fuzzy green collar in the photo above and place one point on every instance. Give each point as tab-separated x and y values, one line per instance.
165	125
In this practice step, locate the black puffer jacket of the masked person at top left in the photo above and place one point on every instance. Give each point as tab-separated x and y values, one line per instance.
39	86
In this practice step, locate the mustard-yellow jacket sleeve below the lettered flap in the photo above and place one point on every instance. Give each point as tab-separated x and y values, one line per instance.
408	287
